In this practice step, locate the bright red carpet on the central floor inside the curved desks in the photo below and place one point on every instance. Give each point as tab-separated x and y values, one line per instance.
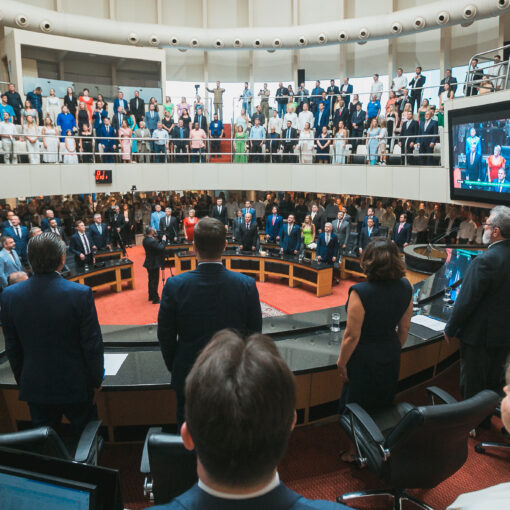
133	307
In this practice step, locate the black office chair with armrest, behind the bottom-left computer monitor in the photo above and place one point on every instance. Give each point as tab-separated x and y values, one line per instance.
45	441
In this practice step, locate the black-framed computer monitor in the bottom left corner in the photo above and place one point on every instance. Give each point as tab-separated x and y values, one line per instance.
81	486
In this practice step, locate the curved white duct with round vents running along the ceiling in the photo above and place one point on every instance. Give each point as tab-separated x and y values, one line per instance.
427	17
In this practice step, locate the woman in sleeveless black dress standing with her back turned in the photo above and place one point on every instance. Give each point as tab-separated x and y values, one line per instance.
378	318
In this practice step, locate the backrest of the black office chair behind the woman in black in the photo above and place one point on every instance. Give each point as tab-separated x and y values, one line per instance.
431	443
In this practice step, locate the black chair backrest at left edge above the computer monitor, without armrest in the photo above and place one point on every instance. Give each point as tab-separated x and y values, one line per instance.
43	440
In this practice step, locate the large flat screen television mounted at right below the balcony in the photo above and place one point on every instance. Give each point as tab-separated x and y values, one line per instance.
480	153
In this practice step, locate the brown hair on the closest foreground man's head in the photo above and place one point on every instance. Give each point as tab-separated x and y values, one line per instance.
240	402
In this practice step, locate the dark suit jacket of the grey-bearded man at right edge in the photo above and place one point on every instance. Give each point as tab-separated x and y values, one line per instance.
480	314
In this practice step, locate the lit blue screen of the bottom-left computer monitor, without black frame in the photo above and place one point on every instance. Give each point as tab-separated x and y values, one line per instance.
26	490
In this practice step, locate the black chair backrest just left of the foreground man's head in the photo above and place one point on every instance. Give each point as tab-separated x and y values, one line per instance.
173	468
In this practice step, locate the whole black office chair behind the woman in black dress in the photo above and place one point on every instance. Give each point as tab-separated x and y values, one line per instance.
410	447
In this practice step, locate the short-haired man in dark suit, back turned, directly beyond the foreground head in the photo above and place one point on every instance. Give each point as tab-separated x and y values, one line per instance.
197	304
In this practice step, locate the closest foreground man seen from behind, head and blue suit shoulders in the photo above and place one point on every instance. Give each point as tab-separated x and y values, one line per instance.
240	413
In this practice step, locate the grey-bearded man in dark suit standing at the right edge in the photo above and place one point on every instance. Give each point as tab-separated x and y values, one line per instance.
480	316
